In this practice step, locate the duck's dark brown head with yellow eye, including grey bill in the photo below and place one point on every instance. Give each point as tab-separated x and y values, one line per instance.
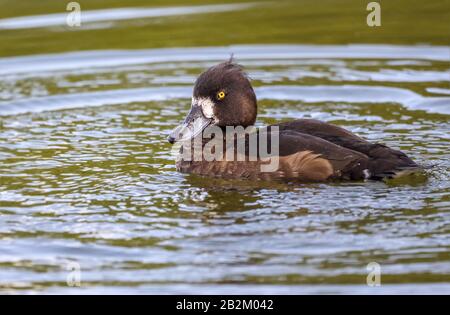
223	96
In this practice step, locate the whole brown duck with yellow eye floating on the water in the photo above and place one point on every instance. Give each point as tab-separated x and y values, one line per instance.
307	150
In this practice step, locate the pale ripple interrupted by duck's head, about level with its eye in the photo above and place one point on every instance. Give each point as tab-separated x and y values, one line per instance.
308	94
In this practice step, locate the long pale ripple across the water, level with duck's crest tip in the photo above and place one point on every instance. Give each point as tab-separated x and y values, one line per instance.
109	58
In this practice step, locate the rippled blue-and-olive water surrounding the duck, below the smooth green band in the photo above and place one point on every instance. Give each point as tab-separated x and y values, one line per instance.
86	175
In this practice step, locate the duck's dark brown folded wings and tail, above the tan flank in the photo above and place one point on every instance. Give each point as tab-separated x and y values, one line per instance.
352	157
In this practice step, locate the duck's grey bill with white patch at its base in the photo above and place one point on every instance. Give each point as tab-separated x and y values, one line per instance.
192	126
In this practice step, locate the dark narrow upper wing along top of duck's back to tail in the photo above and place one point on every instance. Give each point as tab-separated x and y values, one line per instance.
392	159
